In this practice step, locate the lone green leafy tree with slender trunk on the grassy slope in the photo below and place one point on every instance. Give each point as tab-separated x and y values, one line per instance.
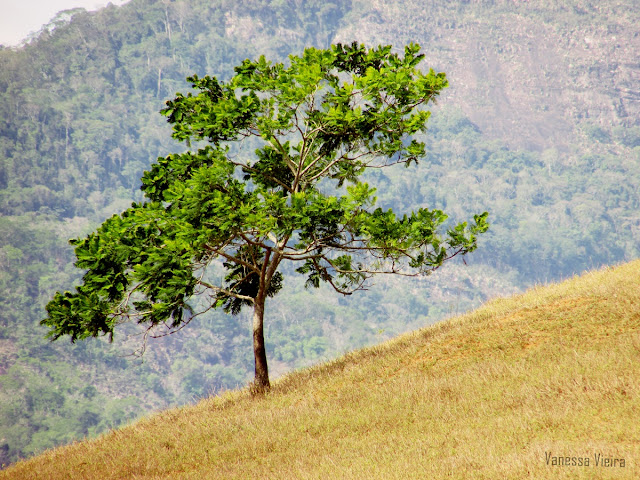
319	122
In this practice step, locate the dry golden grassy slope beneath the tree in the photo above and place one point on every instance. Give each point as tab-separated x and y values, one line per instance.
484	395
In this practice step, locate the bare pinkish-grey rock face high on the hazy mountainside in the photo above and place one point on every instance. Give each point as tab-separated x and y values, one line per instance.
528	73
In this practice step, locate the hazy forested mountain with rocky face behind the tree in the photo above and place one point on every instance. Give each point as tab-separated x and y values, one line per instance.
541	127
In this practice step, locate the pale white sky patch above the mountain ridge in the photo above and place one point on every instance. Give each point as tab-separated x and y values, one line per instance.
18	18
